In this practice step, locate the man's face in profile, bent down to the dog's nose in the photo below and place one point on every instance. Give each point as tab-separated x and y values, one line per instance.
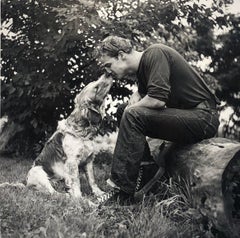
118	66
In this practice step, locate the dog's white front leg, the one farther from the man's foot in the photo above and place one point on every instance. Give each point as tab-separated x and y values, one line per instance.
72	178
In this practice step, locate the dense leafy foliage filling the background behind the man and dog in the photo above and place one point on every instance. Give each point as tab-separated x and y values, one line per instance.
49	49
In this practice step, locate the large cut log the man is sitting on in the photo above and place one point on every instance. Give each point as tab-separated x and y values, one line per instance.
212	169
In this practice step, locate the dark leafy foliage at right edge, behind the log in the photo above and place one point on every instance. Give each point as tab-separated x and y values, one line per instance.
226	63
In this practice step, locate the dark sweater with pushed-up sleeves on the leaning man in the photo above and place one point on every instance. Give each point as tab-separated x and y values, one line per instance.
165	75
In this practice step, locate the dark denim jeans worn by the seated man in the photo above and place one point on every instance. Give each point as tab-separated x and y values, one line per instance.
182	126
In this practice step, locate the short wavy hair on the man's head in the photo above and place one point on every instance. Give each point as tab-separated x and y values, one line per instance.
111	46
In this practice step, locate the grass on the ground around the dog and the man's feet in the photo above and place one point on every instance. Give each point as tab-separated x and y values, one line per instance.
28	213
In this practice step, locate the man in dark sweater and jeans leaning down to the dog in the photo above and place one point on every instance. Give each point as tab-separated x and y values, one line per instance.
172	103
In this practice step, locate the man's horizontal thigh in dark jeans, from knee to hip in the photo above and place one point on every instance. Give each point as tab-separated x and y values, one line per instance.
177	125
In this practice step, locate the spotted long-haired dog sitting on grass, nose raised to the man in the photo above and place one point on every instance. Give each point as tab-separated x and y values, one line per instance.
74	144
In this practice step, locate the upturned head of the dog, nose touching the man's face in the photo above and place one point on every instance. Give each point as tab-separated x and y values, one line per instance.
89	103
